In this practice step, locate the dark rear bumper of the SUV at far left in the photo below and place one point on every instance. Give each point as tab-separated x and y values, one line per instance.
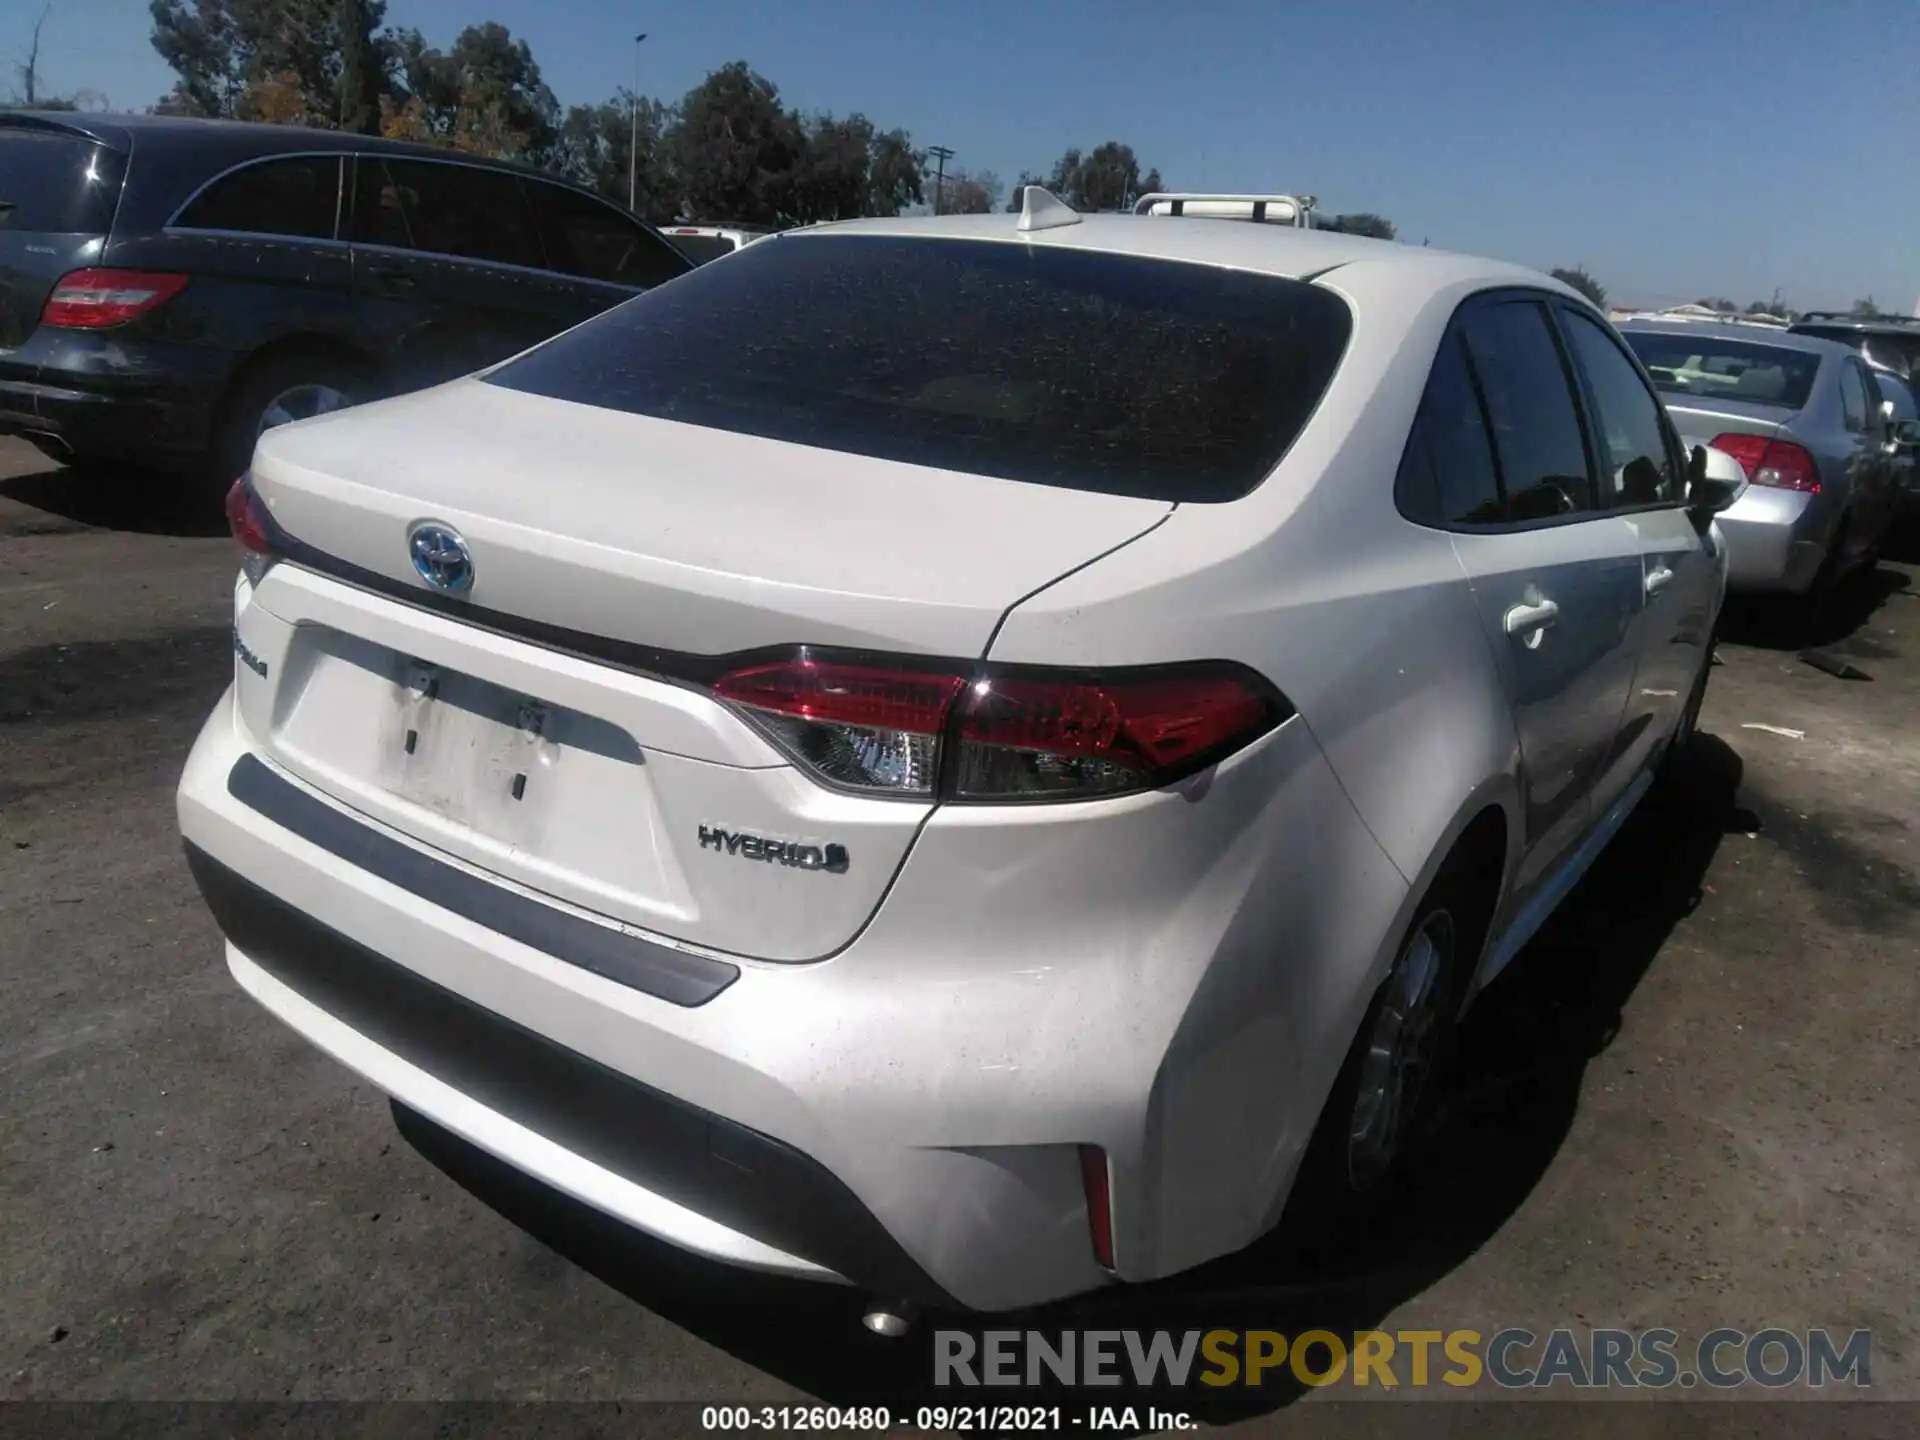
101	396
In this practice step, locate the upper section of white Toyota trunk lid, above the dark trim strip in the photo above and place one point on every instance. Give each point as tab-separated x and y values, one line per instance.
679	537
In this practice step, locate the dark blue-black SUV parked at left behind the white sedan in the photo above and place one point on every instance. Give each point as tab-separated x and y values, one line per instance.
174	287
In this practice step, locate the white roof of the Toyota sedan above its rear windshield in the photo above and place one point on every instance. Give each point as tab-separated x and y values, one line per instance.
1278	251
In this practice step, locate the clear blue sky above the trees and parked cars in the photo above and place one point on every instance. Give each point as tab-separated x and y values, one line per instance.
1669	149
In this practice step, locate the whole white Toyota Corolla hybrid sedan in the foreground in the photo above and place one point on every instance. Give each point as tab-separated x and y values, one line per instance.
969	757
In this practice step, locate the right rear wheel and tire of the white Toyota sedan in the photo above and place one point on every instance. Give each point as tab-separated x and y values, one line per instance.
1358	1157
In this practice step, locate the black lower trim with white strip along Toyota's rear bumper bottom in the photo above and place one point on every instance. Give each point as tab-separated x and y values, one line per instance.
608	1140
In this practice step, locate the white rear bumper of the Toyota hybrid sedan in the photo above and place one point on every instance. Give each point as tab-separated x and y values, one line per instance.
907	1115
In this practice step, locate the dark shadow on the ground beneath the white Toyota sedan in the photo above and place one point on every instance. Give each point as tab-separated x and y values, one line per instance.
1504	1115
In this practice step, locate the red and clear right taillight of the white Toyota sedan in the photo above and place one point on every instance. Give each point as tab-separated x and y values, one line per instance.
999	736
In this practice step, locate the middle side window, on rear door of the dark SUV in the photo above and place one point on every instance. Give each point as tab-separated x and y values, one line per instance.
446	210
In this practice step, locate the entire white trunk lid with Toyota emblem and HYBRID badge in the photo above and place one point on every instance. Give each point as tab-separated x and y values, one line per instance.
554	727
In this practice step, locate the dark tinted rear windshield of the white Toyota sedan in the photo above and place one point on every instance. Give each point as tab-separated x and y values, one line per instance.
1061	368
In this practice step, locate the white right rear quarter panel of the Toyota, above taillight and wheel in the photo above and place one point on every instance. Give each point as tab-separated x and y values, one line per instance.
1358	615
